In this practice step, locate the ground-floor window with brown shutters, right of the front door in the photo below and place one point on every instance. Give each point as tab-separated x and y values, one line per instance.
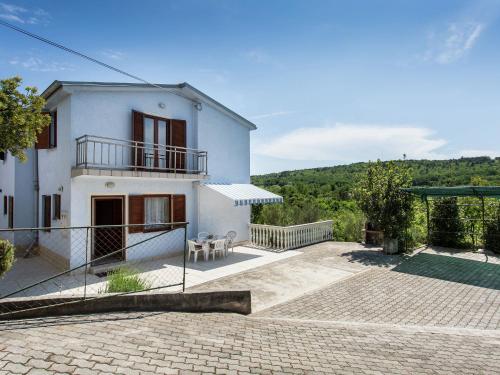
152	210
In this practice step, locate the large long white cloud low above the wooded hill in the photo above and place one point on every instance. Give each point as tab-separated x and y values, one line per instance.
351	143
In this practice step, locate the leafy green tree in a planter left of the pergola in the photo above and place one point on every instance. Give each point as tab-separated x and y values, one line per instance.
381	199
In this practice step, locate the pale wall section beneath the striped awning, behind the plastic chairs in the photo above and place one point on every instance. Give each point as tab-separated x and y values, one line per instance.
219	215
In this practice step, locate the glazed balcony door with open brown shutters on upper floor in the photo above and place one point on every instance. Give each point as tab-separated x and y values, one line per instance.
161	143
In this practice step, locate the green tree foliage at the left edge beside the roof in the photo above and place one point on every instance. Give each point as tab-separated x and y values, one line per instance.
21	117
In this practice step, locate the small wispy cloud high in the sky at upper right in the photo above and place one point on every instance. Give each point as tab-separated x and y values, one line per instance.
454	43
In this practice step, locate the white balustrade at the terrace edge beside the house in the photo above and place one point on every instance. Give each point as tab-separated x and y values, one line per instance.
291	237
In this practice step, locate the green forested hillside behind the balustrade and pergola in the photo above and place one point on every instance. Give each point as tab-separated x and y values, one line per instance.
328	192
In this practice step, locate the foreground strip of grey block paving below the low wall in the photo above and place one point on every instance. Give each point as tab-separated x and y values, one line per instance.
227	343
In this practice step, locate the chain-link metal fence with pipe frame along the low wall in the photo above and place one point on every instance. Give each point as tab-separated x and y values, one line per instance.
92	262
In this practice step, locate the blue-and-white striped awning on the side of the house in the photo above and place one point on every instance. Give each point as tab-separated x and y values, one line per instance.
245	194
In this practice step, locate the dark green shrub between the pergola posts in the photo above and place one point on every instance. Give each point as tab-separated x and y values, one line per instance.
447	229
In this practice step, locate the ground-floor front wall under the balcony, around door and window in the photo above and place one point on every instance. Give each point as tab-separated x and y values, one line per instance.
84	187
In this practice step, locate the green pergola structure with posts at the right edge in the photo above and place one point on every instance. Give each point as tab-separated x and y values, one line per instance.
480	192
